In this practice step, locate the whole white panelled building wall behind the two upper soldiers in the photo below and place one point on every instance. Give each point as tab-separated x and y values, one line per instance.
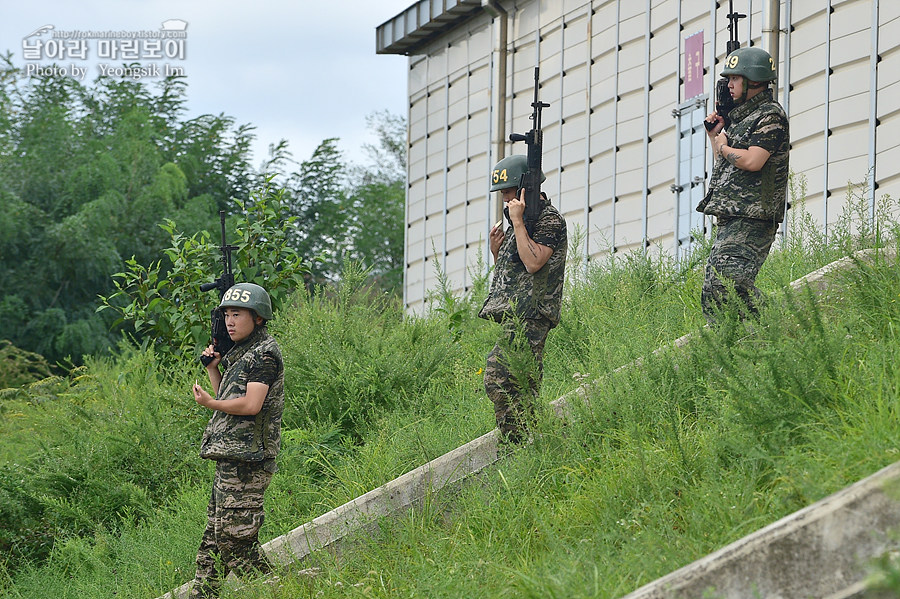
611	71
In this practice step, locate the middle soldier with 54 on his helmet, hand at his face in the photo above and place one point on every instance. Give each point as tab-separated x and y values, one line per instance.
525	298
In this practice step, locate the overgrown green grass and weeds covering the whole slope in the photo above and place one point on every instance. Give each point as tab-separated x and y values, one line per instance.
102	493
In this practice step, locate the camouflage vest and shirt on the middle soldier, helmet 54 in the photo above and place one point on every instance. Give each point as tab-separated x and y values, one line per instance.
514	289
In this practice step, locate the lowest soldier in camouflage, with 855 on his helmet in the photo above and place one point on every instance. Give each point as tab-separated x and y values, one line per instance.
243	437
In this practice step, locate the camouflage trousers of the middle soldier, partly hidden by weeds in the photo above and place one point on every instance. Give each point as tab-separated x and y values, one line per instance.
513	374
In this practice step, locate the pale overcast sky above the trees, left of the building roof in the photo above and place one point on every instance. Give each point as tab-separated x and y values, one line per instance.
302	70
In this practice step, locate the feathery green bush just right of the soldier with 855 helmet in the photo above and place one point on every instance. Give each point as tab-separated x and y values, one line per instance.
349	357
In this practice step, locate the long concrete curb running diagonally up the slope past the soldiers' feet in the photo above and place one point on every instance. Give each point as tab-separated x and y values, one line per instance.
329	530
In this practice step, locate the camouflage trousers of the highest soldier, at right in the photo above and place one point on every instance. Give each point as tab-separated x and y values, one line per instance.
737	254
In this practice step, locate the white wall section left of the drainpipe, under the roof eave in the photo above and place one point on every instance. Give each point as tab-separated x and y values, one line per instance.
449	142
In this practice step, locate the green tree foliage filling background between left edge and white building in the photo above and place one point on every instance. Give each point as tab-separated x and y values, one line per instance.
88	172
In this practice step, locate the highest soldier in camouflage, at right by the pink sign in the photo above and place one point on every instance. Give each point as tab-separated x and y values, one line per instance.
748	184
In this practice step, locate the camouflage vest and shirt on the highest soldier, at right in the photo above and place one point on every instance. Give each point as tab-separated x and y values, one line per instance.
760	121
